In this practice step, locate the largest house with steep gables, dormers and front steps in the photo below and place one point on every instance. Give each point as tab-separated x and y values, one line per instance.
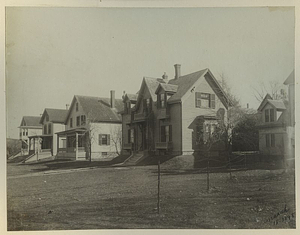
172	116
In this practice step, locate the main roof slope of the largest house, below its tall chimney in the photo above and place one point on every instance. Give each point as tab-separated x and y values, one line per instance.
185	83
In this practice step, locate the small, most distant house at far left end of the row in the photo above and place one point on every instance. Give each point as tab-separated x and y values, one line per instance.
30	125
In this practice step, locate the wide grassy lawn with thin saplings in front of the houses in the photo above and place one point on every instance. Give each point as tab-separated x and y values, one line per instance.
126	197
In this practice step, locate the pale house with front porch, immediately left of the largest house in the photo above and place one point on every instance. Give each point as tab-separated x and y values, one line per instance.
92	129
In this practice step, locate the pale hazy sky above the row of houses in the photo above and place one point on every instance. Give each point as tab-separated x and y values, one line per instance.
53	54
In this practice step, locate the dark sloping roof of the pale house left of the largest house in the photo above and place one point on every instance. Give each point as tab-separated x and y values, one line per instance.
99	110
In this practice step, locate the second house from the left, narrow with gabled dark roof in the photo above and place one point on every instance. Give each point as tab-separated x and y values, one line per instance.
52	121
